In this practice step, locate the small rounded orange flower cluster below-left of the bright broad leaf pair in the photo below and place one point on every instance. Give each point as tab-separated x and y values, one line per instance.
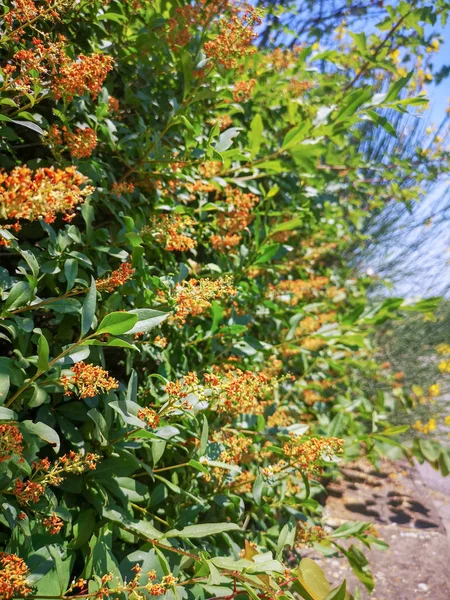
89	380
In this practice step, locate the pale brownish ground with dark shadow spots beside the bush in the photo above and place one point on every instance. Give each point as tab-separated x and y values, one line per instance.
410	508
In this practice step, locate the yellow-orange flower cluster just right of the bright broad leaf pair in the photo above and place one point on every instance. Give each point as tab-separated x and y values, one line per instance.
194	297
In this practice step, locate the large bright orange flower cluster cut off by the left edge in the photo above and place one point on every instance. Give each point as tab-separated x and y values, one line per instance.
29	195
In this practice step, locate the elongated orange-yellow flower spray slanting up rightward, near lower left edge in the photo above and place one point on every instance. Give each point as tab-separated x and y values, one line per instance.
46	474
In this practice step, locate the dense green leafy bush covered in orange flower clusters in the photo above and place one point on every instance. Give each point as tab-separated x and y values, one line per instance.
186	342
